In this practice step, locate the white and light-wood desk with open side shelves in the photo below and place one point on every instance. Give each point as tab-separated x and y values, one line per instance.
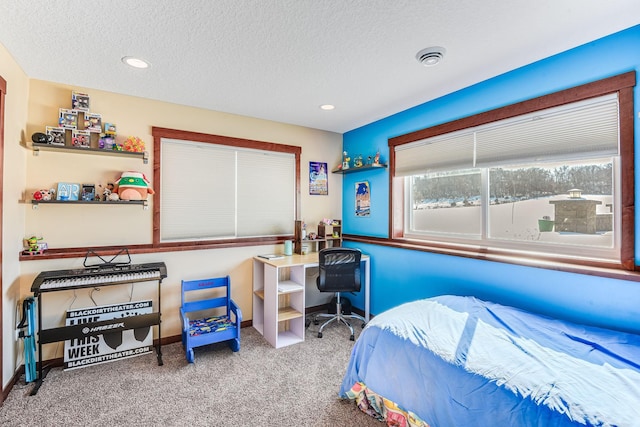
279	295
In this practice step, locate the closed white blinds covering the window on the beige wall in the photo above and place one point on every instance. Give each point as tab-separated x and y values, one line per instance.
211	191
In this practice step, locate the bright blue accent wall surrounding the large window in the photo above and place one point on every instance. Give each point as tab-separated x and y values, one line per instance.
401	275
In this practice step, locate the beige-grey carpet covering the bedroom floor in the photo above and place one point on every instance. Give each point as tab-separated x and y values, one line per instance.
257	386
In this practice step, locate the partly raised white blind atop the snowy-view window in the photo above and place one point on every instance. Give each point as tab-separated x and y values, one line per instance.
585	129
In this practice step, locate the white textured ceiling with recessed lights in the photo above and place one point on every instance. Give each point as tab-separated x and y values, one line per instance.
281	59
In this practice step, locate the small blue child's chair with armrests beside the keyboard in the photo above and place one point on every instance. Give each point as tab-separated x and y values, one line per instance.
218	325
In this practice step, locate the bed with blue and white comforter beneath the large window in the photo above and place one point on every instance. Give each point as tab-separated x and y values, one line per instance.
459	361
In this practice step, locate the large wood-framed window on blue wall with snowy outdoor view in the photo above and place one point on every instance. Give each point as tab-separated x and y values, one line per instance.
549	182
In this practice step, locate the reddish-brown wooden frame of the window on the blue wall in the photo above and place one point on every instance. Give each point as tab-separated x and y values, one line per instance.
622	85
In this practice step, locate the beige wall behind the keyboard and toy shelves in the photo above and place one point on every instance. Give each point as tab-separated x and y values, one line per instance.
81	225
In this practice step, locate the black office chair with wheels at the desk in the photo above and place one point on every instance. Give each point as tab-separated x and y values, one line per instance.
339	271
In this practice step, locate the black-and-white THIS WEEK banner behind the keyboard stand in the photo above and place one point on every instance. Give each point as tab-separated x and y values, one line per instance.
114	343
